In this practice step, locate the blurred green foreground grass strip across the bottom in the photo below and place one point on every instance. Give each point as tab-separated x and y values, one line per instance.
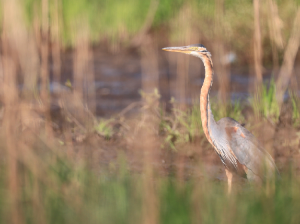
71	194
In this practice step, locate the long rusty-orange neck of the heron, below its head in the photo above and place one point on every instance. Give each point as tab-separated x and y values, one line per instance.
208	121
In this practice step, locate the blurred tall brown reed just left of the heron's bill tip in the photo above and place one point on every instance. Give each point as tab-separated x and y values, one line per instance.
144	143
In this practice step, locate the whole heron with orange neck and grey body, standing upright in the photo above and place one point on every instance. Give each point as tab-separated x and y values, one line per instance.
237	148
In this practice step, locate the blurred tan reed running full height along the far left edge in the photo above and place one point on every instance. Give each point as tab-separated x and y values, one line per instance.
10	118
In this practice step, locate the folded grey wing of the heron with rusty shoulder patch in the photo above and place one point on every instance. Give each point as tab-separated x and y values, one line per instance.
248	150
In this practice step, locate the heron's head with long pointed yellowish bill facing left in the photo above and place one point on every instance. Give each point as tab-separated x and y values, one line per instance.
197	50
